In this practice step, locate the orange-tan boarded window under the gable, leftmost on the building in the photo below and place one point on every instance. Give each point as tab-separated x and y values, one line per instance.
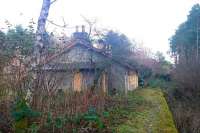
77	83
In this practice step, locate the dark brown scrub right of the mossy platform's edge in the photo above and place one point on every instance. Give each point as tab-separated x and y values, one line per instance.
185	112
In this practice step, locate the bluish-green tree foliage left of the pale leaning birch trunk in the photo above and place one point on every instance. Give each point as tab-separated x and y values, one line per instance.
15	41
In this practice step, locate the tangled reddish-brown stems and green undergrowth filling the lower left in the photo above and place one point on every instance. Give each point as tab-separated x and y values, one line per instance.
35	103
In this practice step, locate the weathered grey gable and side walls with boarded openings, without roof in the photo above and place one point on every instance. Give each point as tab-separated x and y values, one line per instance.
116	77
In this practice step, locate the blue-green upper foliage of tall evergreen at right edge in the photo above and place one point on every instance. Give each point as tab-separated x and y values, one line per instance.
184	42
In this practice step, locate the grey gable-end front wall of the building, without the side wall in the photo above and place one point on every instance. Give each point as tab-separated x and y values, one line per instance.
85	77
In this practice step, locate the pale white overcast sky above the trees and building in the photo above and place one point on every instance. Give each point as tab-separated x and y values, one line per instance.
151	22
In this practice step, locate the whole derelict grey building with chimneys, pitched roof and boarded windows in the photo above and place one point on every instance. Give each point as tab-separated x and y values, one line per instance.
84	66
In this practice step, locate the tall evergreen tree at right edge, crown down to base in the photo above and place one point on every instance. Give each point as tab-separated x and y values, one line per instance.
185	46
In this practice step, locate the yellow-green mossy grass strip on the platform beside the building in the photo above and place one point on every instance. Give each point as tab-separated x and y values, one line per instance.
146	112
